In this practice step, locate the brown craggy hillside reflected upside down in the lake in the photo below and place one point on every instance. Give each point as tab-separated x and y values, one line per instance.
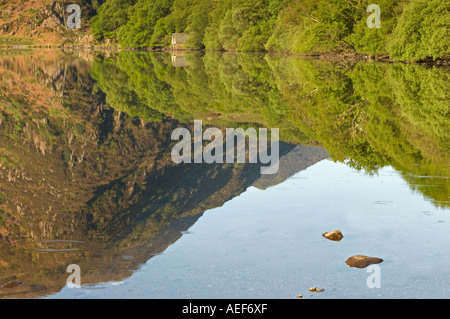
82	183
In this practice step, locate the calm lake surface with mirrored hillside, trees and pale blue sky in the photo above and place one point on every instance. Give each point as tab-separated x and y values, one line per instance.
87	178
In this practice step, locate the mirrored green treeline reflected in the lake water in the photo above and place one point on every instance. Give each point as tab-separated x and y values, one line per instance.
368	115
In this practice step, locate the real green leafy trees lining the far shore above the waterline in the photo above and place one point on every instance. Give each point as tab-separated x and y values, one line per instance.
410	29
